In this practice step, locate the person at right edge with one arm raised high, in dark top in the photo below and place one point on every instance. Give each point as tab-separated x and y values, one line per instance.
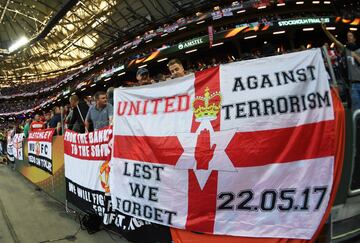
353	64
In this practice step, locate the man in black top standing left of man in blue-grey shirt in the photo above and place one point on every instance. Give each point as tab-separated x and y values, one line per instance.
79	111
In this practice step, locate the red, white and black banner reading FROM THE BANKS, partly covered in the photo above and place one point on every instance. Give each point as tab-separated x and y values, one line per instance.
87	170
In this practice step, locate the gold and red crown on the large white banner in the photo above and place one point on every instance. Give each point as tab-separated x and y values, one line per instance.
208	106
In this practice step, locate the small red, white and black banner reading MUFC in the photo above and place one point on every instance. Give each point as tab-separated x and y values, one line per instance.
40	149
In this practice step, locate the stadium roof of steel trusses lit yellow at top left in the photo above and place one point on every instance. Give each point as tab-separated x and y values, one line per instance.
41	39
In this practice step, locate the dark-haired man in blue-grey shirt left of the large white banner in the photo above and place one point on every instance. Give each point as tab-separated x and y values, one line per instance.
100	114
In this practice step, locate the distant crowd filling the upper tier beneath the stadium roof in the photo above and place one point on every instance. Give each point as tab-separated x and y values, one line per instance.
24	88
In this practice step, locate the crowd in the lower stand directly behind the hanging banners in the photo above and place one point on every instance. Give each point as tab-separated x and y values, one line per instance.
83	114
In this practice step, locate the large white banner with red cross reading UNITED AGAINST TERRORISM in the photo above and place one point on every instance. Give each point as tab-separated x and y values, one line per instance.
243	149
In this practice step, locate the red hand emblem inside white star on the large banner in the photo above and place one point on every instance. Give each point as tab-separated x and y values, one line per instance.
203	152
